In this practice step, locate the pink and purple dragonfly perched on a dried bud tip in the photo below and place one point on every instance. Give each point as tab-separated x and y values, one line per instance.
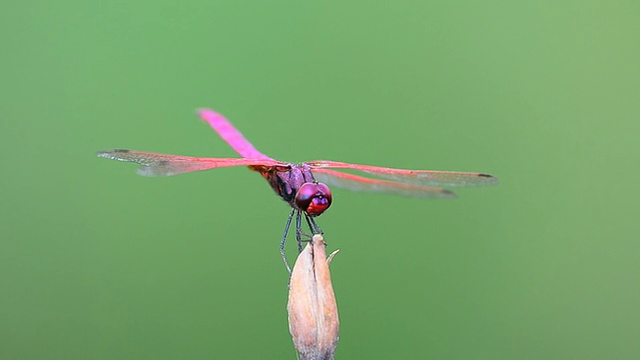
304	186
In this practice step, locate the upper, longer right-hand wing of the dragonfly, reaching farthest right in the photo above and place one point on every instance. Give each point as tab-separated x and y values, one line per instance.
418	177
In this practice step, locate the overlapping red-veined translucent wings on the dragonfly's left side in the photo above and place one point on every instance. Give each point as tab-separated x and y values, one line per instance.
165	165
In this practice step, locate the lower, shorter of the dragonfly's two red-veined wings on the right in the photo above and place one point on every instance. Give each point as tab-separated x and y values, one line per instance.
359	183
